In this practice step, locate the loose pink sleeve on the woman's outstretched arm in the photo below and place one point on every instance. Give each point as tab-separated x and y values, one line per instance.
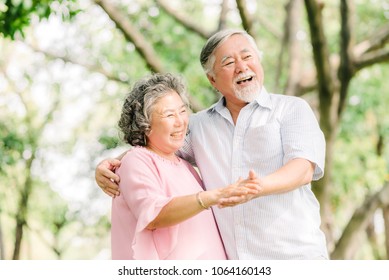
145	195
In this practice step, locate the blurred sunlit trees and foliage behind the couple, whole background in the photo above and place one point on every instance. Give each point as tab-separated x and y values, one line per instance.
65	67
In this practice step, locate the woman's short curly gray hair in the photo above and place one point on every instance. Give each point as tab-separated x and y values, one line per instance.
135	119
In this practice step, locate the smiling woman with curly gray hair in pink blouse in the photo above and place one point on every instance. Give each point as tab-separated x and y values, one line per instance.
161	212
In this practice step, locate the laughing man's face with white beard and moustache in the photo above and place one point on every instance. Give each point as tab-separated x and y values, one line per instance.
238	73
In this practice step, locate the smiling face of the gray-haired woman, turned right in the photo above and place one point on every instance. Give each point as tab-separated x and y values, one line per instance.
169	123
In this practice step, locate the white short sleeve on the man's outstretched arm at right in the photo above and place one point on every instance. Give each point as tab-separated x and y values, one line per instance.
302	136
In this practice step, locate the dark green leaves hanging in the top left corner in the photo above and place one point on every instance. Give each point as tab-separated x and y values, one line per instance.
16	15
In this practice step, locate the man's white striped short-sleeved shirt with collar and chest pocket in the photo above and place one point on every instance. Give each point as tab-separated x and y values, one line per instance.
268	133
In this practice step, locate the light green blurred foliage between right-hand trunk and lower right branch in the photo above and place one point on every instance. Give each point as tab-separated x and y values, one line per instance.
359	169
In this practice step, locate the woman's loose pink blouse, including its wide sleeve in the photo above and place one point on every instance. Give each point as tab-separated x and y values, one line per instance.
147	183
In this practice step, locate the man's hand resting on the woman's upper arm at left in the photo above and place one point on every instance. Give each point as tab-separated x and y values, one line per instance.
106	178
